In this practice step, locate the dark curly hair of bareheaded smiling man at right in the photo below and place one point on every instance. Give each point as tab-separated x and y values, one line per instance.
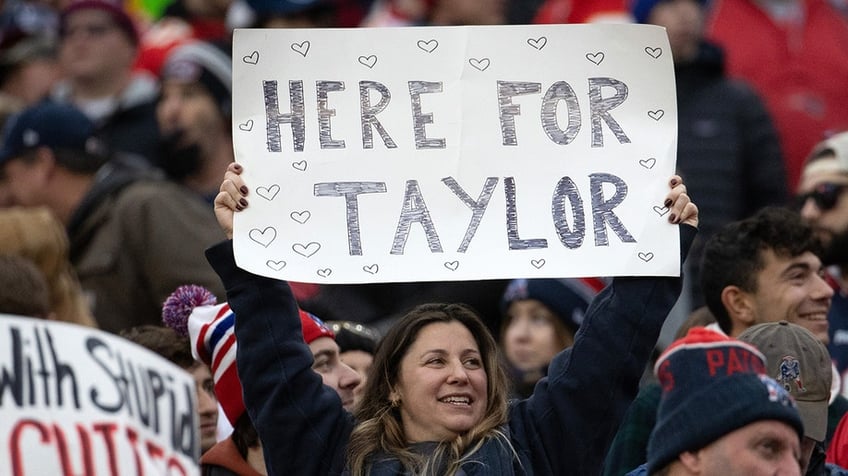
734	255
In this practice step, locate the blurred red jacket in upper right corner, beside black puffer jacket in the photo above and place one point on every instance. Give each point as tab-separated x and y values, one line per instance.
801	71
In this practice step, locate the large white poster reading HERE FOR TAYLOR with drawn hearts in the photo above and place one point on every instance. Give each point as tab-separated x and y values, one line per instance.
455	153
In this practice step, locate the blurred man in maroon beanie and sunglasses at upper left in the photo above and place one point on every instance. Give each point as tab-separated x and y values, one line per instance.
98	44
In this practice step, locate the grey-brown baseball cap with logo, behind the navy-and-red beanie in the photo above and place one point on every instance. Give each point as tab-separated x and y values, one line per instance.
801	363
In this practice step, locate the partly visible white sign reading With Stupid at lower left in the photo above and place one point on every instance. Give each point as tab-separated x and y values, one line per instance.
75	400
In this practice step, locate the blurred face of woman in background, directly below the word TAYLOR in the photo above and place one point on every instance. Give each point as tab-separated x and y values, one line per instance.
530	340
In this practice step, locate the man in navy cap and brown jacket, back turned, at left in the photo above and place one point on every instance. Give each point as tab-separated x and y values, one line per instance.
133	237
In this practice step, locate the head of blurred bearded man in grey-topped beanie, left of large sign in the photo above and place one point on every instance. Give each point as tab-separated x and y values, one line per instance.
193	113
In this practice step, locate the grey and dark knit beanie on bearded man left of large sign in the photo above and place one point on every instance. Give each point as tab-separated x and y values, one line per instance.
202	62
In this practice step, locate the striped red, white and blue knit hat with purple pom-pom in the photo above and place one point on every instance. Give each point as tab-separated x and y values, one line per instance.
211	329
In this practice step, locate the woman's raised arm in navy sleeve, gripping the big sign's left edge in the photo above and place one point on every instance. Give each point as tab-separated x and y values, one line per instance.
296	416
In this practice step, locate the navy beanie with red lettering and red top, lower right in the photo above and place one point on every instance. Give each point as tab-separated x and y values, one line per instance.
712	385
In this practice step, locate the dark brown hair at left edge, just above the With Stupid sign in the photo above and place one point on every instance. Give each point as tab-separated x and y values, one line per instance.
23	288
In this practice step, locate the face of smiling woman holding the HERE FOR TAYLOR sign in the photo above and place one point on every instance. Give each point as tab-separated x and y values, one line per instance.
442	385
